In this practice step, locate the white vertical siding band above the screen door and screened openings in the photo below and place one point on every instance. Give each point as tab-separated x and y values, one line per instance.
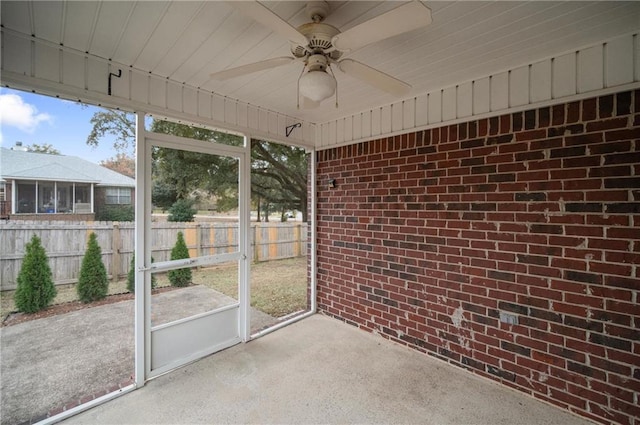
60	70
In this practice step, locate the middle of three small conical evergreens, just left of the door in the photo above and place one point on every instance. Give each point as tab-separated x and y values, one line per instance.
93	284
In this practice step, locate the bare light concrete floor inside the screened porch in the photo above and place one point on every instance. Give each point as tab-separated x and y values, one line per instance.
320	370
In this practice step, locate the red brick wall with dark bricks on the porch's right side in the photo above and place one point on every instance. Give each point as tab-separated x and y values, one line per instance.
429	236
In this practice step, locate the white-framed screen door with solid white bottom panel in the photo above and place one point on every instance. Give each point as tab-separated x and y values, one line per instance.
195	273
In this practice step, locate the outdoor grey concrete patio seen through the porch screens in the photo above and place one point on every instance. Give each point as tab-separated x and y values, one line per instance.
60	361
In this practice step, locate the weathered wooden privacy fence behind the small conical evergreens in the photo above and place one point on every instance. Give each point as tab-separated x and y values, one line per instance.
66	242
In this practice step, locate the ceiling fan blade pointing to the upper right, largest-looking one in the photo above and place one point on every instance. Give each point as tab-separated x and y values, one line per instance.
405	18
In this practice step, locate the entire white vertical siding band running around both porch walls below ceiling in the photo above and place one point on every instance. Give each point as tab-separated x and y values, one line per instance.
601	68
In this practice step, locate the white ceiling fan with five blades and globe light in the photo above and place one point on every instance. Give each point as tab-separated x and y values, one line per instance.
320	46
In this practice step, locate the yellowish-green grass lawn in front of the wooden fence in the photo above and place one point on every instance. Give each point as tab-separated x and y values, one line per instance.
278	287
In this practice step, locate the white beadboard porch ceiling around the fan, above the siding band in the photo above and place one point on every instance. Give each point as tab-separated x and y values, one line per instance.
185	41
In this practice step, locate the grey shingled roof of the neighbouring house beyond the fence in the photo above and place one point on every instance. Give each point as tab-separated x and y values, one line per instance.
22	165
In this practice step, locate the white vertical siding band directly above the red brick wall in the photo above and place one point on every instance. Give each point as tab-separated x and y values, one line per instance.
601	68
